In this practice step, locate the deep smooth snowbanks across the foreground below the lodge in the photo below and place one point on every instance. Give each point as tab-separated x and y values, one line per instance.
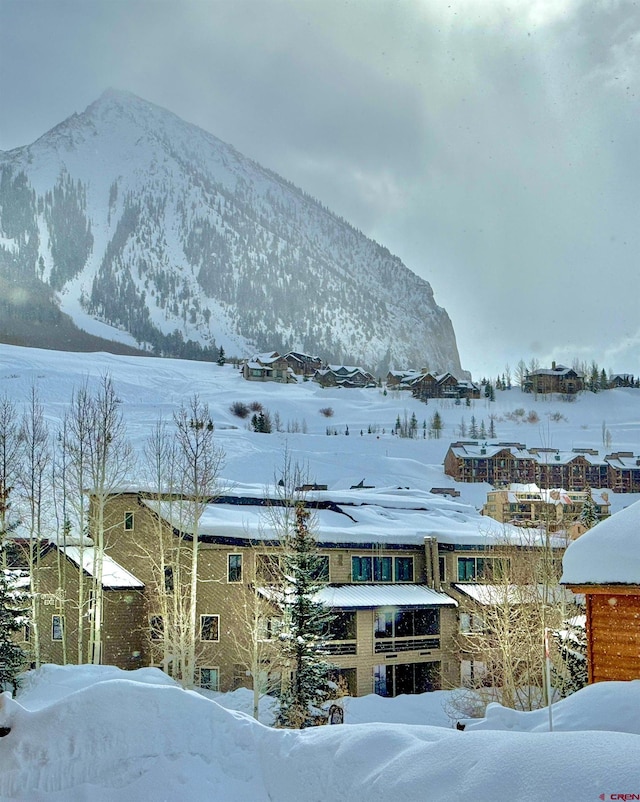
97	733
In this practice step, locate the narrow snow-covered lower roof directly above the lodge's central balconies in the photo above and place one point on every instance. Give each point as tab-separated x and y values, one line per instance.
396	595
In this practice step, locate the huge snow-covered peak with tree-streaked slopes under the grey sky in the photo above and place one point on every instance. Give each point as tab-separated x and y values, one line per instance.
153	226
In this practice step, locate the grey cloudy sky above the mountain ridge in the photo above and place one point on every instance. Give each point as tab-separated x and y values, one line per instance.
494	145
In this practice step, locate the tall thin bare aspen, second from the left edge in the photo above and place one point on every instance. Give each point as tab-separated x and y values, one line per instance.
34	435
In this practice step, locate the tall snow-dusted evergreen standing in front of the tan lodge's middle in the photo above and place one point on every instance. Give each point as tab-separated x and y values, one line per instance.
306	622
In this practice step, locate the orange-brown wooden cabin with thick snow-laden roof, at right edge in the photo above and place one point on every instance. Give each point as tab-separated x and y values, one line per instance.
604	565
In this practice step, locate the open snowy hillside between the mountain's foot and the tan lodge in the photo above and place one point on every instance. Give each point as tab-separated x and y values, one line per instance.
151	388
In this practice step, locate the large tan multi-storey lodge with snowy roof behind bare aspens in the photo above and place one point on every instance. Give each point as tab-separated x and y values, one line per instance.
395	590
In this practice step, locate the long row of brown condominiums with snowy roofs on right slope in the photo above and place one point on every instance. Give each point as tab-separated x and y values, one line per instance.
501	464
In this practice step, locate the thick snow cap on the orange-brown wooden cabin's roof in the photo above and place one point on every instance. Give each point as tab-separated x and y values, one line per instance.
607	554
